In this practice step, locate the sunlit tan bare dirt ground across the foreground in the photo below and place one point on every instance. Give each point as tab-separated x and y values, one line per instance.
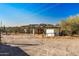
54	46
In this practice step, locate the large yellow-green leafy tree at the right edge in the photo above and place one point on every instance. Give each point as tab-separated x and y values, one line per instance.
70	26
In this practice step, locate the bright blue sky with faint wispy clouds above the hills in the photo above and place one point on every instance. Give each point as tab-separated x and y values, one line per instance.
35	13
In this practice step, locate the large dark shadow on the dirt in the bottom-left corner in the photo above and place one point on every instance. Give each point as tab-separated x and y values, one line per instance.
7	50
